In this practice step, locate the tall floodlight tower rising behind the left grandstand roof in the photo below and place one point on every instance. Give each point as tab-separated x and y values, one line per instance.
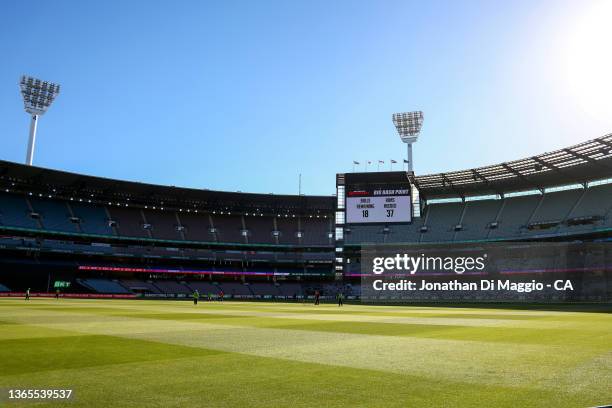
37	97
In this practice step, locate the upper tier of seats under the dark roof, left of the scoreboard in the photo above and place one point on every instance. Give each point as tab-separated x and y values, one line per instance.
79	217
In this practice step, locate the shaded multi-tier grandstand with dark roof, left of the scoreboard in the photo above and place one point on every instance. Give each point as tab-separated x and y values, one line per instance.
123	238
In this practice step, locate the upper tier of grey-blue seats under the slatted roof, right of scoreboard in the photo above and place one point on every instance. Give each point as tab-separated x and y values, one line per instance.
528	216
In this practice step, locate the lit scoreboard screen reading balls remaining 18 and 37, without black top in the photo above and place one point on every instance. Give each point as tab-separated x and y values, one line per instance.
388	205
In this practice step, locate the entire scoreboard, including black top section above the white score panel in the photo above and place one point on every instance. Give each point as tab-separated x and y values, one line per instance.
382	197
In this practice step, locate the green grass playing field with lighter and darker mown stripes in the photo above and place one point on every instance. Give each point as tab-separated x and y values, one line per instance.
172	353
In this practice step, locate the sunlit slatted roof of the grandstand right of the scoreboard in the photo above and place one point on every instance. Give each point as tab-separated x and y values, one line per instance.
581	163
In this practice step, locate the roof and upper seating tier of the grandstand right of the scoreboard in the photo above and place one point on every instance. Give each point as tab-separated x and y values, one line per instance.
565	194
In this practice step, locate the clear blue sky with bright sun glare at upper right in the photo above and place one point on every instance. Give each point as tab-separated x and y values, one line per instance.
246	95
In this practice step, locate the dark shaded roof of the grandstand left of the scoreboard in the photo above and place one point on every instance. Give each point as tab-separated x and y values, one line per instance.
19	177
